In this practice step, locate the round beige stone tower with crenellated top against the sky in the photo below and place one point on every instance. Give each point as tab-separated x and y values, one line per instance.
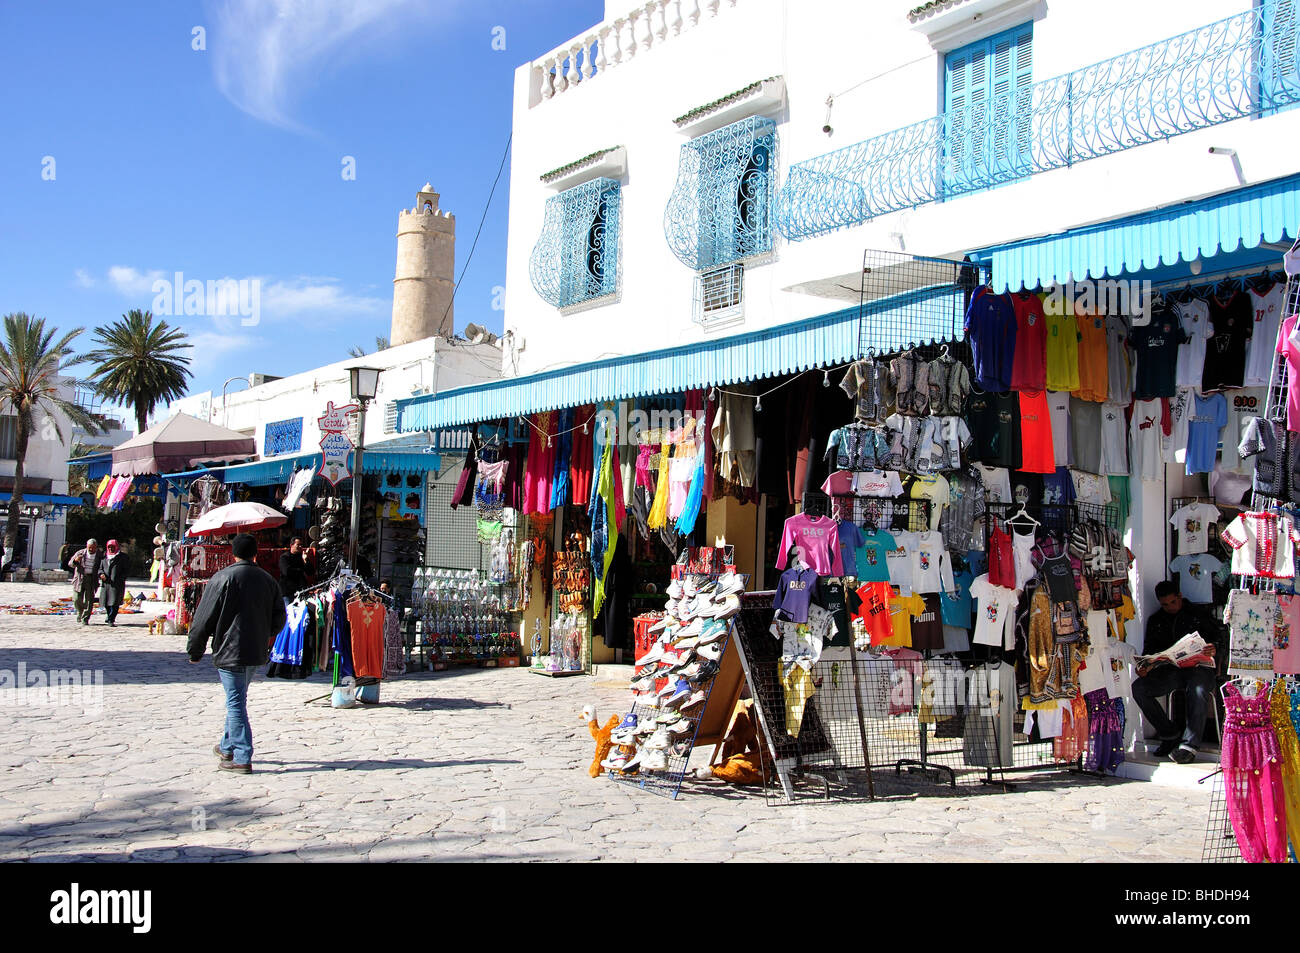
427	258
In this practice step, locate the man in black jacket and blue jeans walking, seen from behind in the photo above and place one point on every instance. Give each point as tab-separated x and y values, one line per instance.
241	612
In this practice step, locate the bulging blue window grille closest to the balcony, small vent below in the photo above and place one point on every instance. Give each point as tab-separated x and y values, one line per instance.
721	210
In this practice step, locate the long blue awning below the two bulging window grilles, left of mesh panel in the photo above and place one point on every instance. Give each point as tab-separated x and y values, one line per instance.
787	349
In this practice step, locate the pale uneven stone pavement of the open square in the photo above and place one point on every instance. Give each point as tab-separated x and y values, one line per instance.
471	765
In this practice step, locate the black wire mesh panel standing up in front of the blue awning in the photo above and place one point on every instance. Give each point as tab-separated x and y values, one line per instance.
909	301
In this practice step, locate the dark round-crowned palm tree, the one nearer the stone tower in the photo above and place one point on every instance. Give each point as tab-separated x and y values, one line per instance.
138	363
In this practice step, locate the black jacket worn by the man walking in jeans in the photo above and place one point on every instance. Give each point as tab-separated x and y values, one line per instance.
241	612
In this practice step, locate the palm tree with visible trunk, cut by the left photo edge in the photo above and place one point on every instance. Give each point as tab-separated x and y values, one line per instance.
29	383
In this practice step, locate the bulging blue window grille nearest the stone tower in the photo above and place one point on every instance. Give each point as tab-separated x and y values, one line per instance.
577	258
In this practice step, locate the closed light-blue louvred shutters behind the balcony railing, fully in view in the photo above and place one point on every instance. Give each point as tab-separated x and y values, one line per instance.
987	111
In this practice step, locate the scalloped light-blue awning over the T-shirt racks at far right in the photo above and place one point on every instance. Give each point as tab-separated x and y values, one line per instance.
1245	218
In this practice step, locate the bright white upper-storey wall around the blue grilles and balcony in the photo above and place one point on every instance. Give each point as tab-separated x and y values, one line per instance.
824	49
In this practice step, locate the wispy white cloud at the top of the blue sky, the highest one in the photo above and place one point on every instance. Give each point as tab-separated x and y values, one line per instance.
266	51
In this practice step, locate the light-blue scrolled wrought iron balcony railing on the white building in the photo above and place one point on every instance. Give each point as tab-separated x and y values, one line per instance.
1240	67
